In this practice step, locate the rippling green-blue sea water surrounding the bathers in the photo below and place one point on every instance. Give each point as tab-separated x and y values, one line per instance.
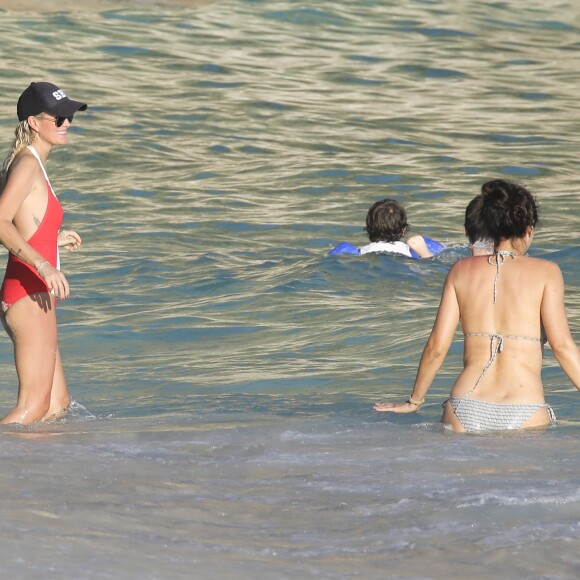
223	366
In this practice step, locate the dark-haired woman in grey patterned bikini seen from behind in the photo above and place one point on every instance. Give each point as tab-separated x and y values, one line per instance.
507	303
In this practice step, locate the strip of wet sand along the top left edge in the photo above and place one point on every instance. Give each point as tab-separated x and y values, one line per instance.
89	5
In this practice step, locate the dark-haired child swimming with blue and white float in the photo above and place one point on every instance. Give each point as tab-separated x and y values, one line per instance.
386	225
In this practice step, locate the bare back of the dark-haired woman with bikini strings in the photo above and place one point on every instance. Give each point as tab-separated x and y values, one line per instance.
515	319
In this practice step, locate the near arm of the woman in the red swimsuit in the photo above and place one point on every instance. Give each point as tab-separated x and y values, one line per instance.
20	183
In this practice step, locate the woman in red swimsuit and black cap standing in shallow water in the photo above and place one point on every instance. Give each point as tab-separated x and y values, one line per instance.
30	220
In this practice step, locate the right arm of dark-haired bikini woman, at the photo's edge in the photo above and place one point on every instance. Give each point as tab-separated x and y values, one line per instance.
556	325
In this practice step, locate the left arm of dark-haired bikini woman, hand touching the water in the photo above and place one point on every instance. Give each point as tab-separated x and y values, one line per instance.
434	352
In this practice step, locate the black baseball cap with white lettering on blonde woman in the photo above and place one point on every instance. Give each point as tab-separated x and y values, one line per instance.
46	98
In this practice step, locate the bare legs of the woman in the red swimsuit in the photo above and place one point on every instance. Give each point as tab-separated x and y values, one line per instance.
32	328
